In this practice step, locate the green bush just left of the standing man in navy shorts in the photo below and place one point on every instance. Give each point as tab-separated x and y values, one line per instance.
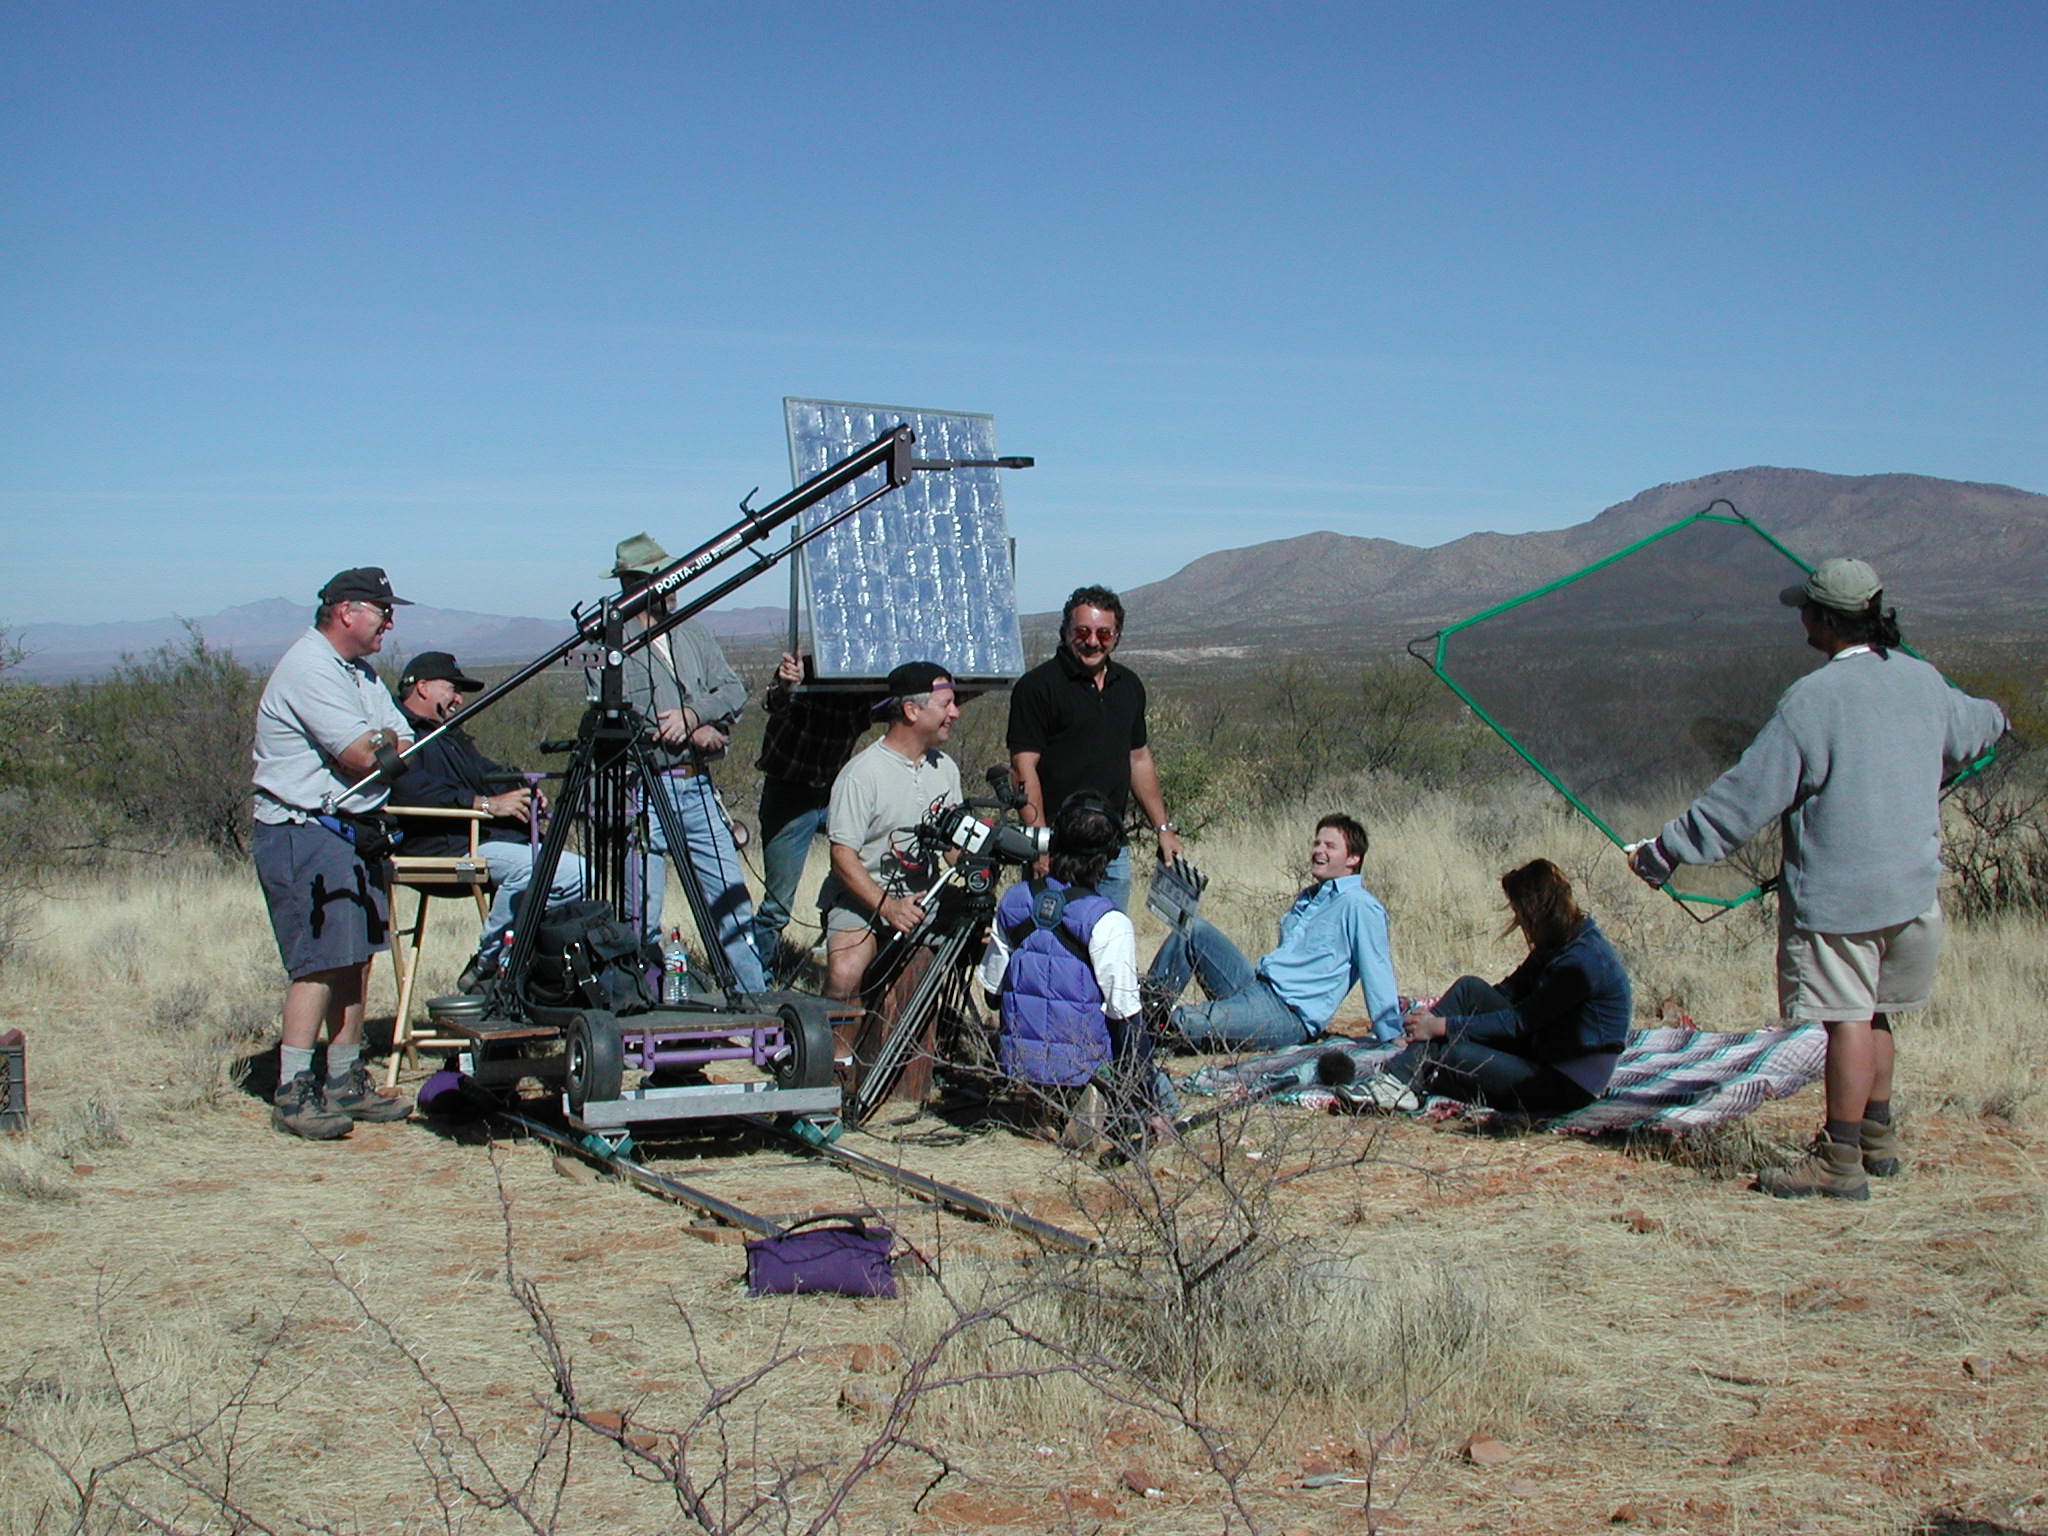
161	749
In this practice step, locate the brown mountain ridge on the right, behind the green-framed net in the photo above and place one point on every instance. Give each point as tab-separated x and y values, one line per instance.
1951	552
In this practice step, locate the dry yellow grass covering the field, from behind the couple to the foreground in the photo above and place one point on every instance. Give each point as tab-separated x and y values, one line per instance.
1723	1363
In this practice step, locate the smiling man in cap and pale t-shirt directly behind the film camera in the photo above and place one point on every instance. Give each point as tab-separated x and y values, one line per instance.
886	790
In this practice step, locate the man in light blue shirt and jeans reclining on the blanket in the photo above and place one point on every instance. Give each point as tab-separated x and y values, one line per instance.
1332	939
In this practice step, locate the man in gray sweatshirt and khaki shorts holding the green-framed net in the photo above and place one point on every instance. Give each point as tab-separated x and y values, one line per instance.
1852	763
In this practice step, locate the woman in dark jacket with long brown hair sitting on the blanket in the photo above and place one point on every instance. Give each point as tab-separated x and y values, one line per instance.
1543	1041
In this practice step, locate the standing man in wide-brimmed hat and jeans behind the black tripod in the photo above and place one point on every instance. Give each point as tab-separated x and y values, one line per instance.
691	697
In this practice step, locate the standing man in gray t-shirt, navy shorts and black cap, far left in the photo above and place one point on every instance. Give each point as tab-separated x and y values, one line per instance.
323	724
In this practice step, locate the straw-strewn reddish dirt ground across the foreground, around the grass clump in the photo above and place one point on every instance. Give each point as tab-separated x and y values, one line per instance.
1687	1357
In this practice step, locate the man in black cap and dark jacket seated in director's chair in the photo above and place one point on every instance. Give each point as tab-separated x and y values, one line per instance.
452	775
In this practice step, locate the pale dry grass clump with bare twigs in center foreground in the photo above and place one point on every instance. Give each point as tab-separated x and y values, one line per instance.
1209	1302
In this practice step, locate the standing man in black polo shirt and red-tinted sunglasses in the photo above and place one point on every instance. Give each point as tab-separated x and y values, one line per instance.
1078	722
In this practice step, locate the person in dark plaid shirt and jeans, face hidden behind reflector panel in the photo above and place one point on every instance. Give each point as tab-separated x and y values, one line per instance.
806	744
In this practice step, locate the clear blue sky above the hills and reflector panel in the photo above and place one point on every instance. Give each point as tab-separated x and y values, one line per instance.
472	292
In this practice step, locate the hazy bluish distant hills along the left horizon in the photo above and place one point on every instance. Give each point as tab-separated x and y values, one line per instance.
259	634
